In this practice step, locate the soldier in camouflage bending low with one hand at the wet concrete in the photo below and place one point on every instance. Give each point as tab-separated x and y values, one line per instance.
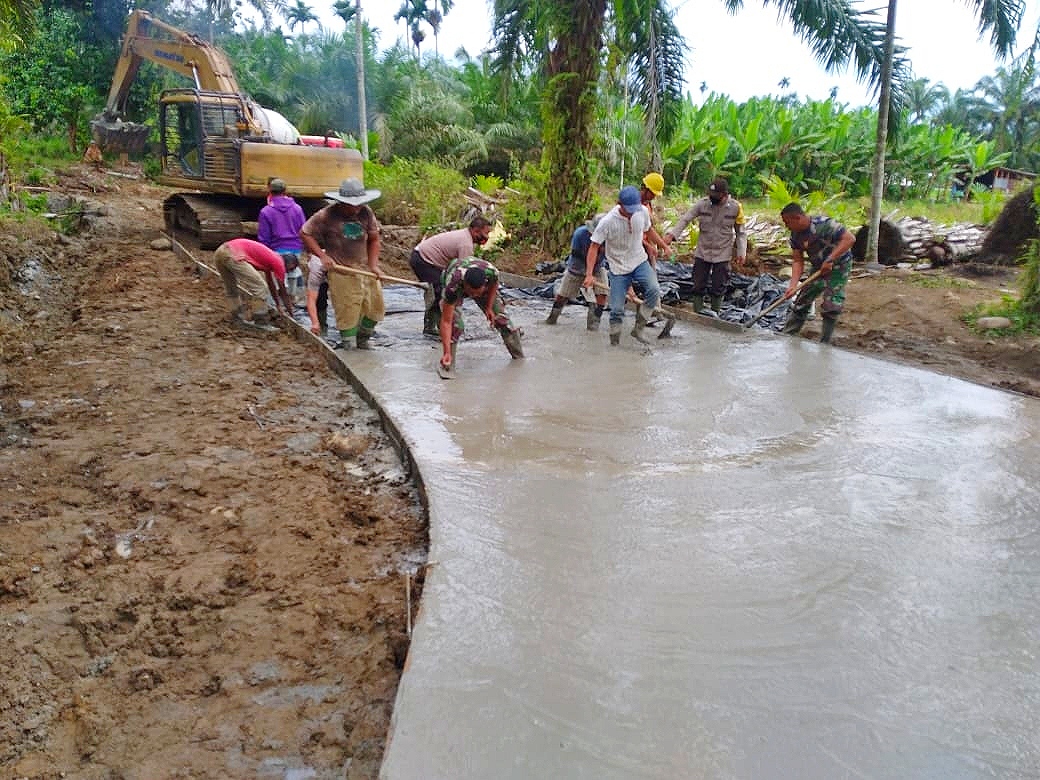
478	280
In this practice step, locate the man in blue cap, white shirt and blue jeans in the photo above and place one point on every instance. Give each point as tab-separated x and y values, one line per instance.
621	233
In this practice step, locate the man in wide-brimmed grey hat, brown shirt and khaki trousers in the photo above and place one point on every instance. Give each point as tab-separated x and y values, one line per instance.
348	233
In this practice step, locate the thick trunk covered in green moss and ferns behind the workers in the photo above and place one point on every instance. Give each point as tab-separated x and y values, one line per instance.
568	114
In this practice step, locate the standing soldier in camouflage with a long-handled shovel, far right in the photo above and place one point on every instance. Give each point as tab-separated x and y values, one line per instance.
828	246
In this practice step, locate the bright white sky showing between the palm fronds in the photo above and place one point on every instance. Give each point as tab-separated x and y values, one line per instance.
749	54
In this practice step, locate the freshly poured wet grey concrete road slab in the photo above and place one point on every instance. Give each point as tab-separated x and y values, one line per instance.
740	557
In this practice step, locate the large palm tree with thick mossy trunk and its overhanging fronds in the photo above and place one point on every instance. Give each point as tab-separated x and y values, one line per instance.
566	39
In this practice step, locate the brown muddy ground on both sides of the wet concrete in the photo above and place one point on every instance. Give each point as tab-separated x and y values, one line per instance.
205	536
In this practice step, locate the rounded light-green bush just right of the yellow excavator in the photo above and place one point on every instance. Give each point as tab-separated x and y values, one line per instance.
418	193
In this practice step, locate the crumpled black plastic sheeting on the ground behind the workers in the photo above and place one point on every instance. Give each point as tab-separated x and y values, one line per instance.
745	298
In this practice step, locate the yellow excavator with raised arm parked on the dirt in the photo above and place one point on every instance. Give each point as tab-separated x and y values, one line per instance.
216	142
